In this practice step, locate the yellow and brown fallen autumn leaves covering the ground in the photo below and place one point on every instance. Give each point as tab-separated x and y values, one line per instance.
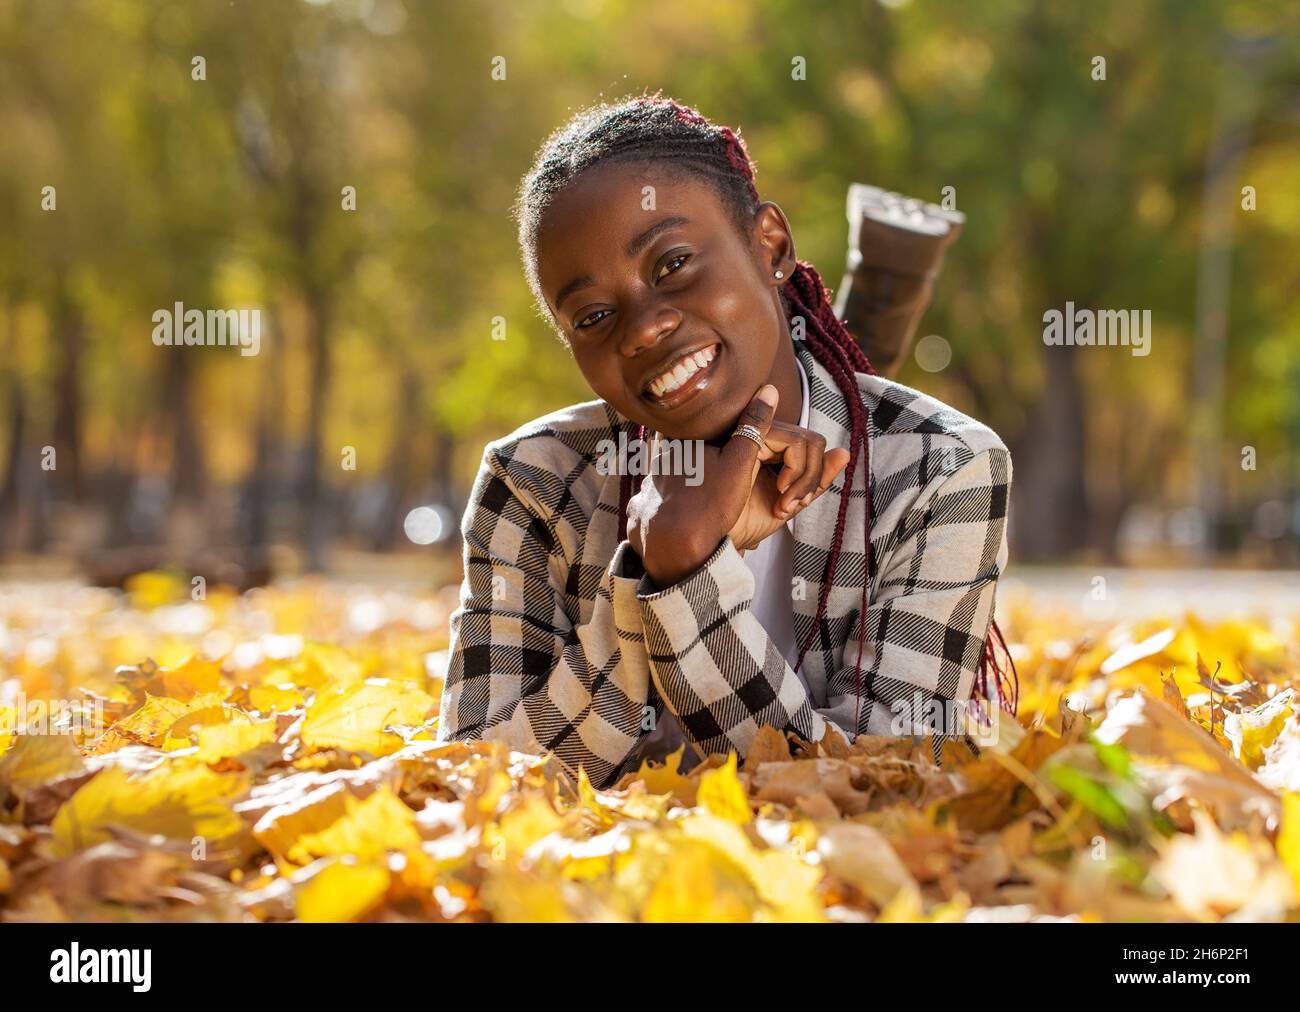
275	759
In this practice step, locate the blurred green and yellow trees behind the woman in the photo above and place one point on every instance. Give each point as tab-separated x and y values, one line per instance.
378	325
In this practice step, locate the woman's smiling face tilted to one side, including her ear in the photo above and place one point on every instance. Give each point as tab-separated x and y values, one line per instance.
673	317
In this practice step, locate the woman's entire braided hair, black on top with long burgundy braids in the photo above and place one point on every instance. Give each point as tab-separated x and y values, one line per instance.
651	128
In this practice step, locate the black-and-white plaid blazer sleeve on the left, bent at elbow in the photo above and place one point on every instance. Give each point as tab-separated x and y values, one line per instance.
519	671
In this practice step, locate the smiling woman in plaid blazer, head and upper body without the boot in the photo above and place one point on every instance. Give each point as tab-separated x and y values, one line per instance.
831	565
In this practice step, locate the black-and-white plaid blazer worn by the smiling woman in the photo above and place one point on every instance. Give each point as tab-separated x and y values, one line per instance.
561	643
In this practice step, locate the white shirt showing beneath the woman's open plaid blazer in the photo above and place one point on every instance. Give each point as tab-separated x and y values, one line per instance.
773	565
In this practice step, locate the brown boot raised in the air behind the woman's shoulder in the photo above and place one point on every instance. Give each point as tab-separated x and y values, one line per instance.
896	249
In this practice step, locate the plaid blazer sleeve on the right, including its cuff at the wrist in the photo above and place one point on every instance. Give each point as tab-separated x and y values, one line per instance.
723	678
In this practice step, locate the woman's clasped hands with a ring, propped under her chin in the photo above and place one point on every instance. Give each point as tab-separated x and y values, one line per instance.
675	527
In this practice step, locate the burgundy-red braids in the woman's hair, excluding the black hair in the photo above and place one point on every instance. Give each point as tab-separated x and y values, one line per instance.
835	348
